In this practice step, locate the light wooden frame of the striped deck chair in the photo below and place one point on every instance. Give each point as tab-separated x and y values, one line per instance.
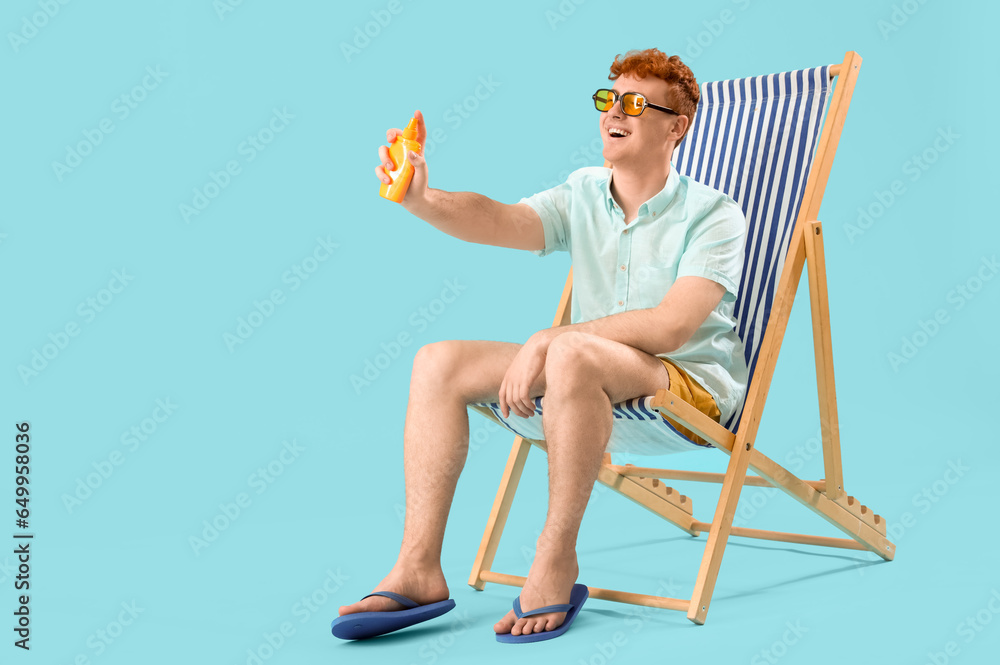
826	497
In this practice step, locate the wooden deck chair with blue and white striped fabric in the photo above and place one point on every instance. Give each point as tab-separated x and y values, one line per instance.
760	141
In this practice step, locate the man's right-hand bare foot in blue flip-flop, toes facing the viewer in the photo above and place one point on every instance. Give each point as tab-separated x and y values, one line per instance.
550	582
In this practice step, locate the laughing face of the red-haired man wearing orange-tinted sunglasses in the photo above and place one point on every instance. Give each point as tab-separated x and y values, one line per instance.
648	134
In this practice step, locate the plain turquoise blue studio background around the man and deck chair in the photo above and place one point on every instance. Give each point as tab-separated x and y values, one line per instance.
333	515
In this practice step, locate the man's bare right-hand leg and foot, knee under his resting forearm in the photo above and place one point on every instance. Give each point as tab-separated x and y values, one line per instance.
577	422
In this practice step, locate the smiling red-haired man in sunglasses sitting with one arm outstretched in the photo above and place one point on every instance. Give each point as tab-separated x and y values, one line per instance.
657	261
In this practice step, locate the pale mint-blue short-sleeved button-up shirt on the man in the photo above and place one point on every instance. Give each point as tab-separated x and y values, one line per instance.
685	229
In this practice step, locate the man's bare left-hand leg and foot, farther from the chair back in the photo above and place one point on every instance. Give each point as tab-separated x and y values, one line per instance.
446	377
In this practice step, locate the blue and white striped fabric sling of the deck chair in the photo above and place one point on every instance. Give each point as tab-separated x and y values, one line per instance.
753	139
